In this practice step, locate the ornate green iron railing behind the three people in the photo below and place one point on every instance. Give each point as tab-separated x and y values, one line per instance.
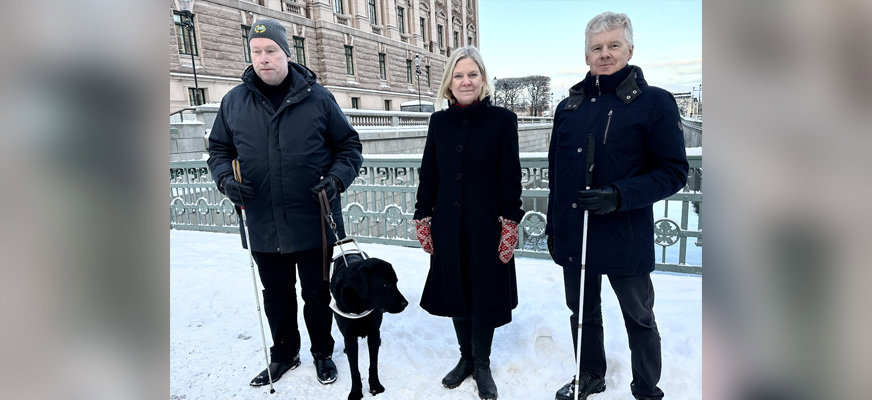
379	205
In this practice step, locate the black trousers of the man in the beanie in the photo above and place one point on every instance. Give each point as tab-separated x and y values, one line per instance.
278	273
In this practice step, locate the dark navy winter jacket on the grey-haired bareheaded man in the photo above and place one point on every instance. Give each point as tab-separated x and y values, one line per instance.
639	149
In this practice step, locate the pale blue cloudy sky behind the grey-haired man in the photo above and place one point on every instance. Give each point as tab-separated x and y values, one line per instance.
546	37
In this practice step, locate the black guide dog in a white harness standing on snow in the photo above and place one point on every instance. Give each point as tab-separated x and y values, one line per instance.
363	289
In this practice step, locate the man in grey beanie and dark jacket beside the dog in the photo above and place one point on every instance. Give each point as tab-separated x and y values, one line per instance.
291	140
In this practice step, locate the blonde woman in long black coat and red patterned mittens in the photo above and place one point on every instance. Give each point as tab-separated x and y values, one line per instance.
467	213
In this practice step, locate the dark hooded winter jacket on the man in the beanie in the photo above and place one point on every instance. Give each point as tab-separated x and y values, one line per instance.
284	153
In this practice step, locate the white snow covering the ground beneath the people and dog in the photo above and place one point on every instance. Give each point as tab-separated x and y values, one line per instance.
216	346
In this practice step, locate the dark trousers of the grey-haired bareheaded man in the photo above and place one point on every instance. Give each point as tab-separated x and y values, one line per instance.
635	295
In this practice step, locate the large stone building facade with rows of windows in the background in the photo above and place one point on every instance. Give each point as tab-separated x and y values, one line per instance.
363	51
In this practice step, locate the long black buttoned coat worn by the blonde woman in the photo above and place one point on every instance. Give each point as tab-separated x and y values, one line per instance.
470	176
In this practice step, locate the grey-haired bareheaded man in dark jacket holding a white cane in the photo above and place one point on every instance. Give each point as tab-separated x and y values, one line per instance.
639	160
